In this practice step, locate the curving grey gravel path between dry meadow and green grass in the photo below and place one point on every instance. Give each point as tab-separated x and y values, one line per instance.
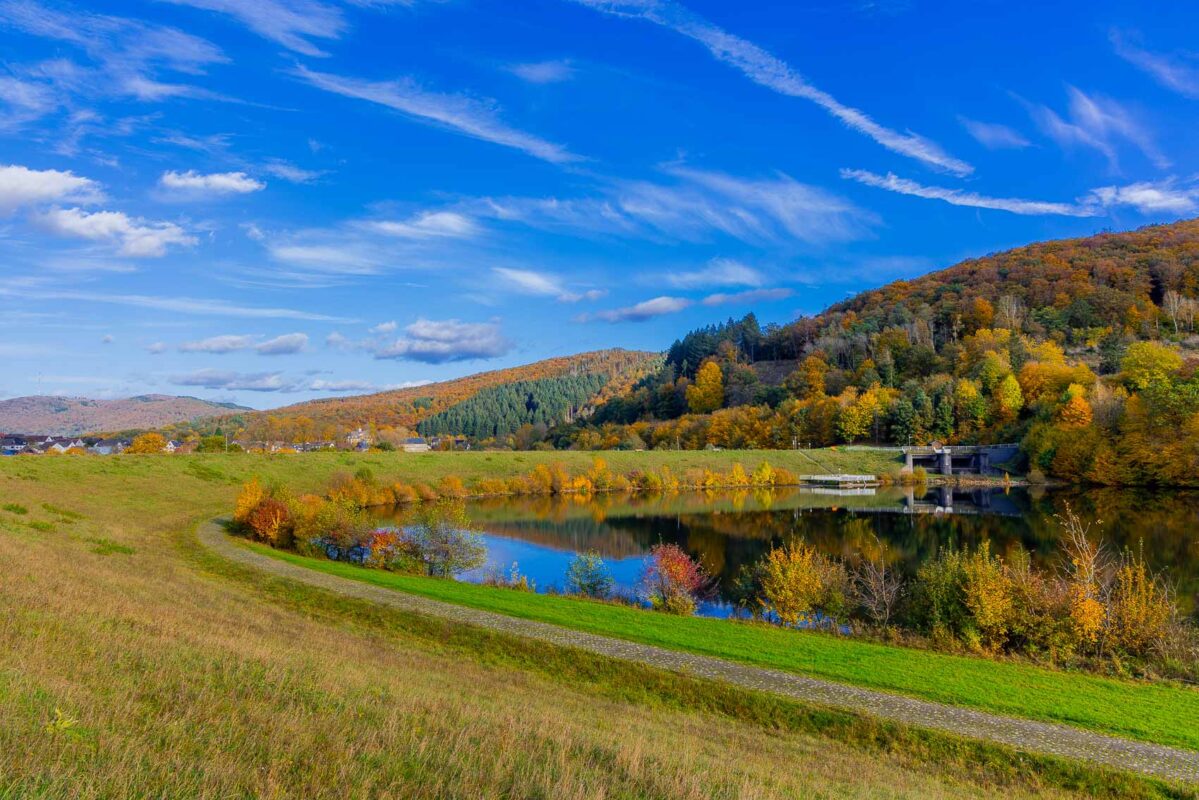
1170	763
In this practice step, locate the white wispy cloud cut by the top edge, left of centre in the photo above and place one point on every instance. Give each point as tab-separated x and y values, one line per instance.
291	23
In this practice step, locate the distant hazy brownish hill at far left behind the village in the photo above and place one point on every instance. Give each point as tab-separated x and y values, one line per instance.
77	416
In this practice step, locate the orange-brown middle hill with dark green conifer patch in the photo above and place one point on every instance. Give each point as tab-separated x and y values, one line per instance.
550	392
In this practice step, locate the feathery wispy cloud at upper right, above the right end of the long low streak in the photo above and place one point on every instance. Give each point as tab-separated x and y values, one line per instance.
1100	124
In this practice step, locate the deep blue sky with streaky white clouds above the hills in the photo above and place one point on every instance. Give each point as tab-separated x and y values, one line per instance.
272	201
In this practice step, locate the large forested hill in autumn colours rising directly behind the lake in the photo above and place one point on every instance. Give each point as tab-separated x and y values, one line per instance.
1084	350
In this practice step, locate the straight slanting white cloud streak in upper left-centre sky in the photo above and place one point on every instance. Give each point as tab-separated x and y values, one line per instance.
467	116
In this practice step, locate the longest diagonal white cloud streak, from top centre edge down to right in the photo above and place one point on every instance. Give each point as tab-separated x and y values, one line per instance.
769	71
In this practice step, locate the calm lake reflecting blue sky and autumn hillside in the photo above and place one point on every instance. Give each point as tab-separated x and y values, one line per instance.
727	531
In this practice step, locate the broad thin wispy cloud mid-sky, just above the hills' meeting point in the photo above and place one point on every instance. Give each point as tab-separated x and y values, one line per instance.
698	204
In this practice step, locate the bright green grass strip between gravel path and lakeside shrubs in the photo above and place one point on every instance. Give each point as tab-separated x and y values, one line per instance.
1159	713
